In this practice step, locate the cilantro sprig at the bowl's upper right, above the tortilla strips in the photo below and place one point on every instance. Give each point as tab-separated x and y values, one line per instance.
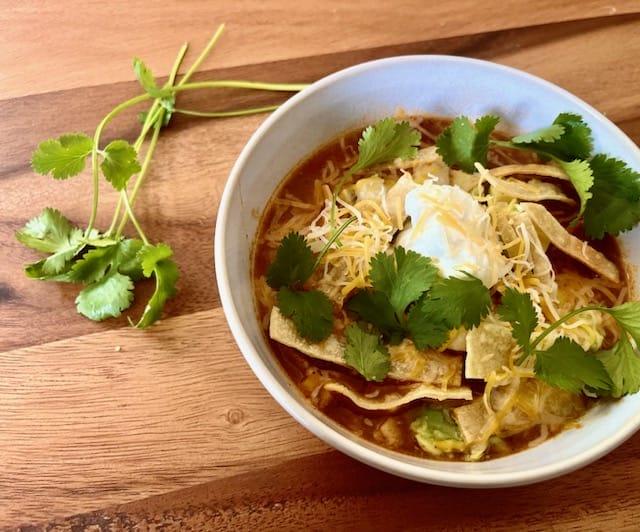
608	189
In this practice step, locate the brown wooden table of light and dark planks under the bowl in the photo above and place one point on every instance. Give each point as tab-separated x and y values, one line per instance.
106	427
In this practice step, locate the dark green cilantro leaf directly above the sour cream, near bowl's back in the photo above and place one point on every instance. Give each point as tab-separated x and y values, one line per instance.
463	143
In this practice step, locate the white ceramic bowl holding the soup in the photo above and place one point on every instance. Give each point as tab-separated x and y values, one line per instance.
360	95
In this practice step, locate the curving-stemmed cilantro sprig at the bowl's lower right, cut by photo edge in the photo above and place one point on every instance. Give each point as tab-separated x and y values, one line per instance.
614	372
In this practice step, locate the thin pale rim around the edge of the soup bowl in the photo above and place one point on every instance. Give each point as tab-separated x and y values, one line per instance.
363	451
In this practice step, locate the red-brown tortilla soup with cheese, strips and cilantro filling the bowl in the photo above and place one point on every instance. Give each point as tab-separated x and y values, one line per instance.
430	270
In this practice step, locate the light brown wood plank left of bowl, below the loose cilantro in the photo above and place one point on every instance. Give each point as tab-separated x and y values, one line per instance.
103	418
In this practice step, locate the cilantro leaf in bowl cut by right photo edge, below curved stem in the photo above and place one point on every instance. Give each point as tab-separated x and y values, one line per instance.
622	363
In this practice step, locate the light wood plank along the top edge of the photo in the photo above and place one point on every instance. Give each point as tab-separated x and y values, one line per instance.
311	28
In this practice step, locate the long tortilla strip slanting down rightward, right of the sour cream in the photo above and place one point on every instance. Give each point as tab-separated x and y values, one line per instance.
570	244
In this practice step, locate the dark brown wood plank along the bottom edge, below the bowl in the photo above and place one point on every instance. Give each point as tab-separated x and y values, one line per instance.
332	491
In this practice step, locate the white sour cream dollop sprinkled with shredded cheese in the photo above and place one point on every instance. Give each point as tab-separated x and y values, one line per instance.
454	230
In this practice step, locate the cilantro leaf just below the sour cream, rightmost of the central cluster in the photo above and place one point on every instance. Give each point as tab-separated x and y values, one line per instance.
461	301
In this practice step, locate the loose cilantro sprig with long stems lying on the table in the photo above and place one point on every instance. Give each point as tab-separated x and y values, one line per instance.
107	263
